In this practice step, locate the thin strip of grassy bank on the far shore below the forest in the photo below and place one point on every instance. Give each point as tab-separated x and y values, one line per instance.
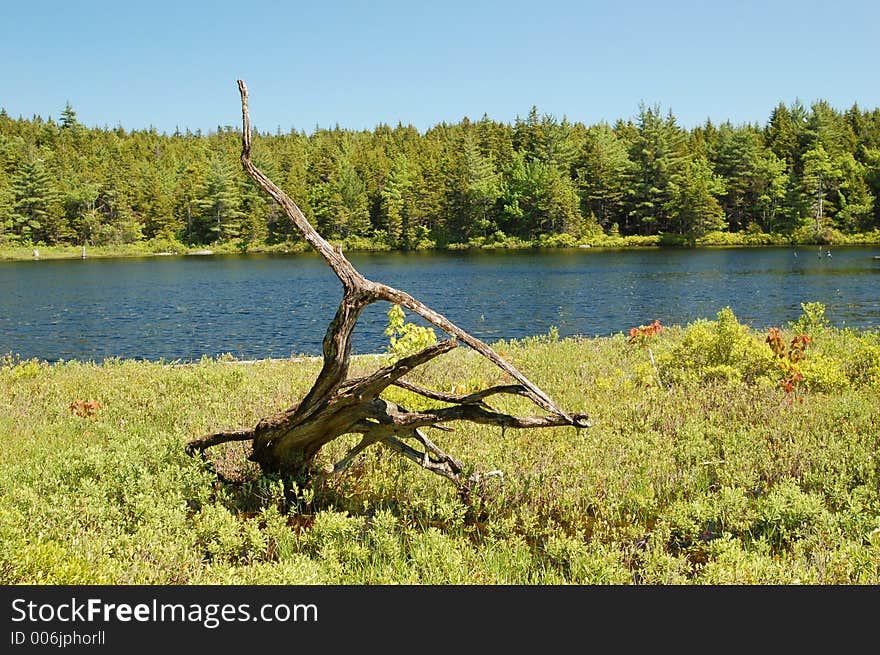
497	242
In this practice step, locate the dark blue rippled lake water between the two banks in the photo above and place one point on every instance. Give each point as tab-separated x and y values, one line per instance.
258	306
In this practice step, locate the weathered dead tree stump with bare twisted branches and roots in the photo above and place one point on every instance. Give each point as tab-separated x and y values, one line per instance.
288	442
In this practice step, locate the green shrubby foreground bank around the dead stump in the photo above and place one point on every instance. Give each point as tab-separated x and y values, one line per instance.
701	469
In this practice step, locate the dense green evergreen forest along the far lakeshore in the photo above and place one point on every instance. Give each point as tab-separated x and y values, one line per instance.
806	171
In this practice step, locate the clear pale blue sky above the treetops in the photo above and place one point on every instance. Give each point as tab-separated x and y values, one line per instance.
170	64
